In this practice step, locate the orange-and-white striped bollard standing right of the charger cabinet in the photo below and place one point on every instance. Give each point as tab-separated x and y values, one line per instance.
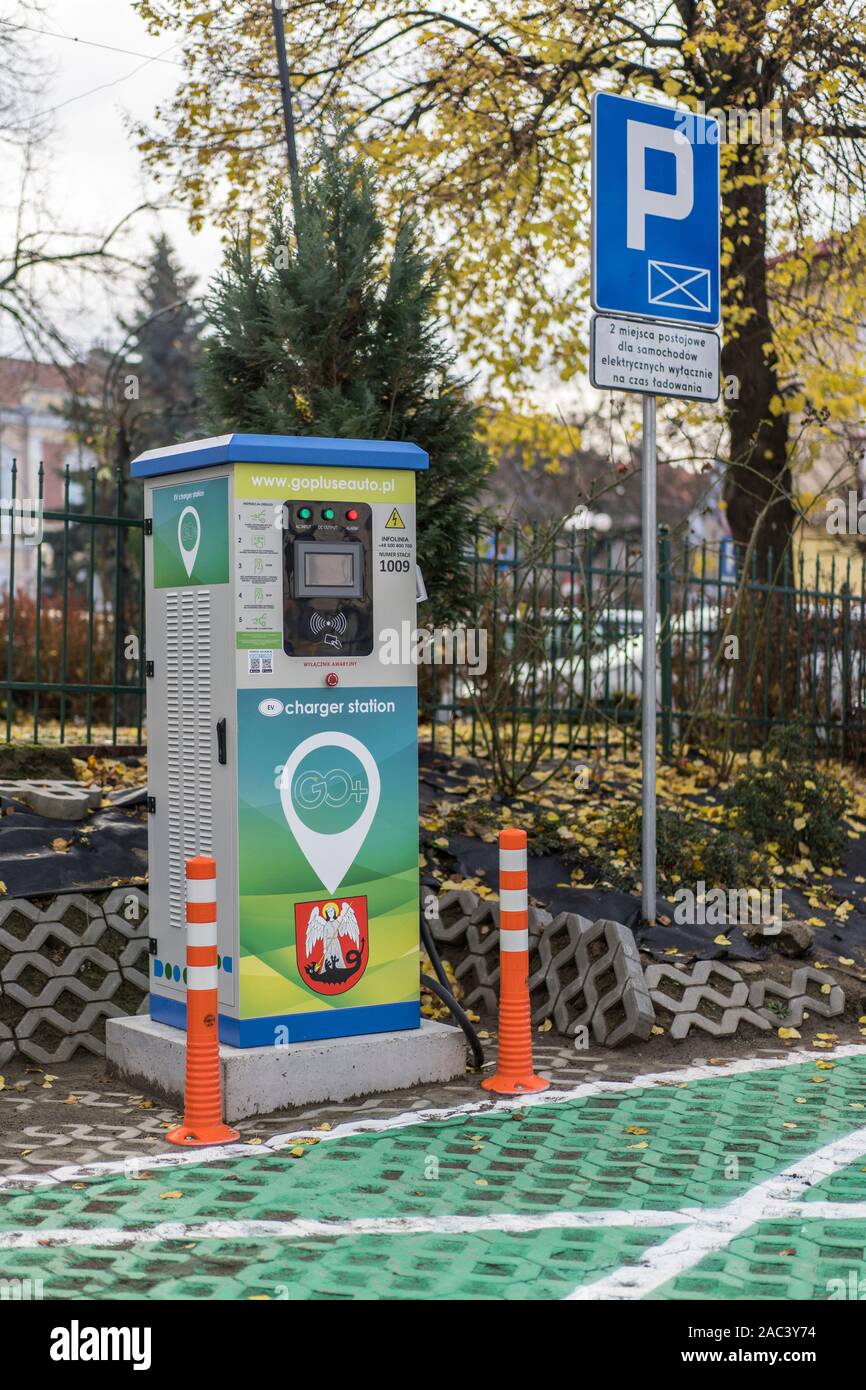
515	1072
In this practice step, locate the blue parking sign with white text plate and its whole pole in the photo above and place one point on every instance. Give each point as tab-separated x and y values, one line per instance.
657	295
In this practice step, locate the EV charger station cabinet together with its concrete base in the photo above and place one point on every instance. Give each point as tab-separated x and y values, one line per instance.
284	744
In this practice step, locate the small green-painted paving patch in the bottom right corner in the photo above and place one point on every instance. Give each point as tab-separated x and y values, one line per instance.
776	1260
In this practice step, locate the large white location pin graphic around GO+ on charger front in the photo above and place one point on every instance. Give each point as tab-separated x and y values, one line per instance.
332	857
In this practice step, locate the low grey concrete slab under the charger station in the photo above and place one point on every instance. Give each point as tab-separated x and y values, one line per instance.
258	1081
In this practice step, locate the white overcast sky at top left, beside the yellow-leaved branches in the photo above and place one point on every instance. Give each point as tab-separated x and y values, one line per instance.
91	170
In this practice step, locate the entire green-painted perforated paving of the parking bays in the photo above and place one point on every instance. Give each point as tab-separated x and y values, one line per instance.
661	1147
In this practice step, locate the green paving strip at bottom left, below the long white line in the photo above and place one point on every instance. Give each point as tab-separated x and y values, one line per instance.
544	1264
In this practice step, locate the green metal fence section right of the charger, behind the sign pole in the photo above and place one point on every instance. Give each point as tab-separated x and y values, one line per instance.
744	648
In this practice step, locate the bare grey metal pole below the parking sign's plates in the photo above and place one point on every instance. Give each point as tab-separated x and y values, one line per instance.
648	676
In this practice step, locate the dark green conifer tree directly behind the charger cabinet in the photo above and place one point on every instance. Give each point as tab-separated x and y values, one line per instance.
334	333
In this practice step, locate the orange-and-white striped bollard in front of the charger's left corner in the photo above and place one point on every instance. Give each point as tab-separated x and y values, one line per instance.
202	1089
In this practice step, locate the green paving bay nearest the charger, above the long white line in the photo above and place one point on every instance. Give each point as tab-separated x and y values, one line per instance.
576	1156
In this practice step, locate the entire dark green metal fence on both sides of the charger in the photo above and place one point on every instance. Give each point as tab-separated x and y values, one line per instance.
561	612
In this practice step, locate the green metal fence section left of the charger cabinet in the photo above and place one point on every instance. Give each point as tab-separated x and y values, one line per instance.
72	615
